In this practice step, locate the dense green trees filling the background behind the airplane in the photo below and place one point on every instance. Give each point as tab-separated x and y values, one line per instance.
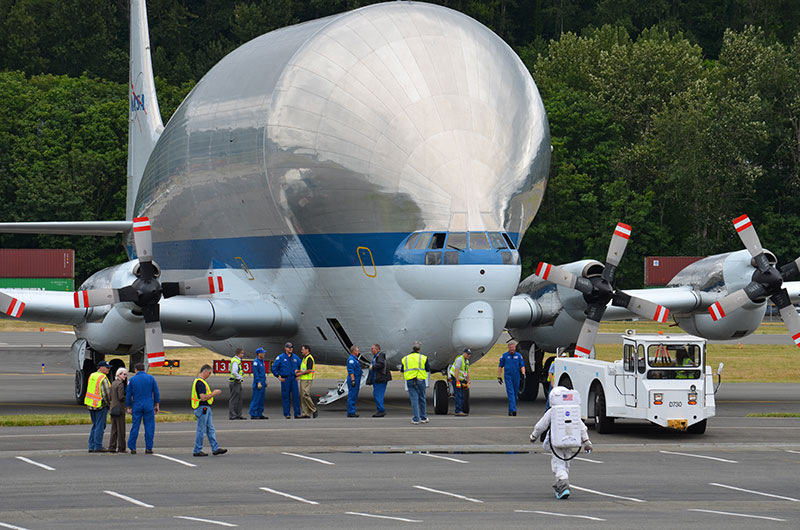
674	116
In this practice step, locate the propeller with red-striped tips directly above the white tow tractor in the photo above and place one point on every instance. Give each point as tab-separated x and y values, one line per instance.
599	291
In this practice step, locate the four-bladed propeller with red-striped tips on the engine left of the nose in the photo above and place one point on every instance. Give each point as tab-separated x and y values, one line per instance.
147	290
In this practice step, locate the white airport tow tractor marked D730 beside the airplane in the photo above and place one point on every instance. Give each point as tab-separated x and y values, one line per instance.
661	378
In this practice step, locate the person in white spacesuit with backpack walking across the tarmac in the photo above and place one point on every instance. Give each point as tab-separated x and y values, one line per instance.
566	435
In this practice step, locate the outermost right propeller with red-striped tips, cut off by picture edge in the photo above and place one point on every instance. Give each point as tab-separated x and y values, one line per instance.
767	282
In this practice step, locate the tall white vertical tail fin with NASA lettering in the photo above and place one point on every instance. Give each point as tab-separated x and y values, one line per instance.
144	116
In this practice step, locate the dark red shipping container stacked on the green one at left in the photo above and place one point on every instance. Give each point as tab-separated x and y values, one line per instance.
37	263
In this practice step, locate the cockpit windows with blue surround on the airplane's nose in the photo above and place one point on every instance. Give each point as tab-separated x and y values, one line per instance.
458	248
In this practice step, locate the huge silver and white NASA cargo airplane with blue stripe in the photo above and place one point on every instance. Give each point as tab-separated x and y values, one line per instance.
361	178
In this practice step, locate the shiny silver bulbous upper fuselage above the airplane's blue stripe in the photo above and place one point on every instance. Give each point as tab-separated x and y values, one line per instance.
391	118
